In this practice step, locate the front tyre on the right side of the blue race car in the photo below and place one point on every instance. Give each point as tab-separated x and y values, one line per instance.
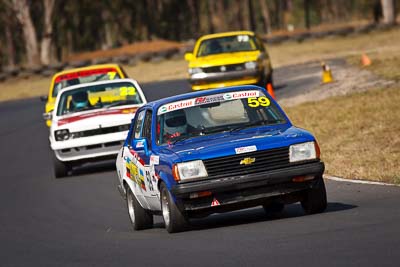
314	200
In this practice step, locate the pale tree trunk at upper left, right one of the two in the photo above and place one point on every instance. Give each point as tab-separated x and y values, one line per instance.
47	37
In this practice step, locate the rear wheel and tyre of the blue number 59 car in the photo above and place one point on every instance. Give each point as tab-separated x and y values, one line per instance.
140	218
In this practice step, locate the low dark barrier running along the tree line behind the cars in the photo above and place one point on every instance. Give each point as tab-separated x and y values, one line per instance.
175	53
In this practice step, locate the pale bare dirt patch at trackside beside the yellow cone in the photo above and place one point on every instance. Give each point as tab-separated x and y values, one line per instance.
347	79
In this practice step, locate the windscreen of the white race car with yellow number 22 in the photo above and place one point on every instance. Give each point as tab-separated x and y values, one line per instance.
101	96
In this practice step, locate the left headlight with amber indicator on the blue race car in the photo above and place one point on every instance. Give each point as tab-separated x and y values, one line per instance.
189	170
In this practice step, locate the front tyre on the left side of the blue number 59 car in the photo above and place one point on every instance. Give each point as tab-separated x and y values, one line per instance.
174	220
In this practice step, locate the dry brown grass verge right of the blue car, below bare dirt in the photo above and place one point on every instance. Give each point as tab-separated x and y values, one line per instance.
358	134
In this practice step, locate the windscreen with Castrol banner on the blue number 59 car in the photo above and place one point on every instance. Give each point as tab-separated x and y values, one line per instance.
213	114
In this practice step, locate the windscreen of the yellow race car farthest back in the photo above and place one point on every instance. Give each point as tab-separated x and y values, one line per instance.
229	44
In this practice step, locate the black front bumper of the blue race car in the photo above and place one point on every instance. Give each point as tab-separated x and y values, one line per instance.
248	190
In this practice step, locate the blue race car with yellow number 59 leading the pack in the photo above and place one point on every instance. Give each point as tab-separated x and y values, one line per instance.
214	151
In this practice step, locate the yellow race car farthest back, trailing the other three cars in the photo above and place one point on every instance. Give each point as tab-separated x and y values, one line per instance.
229	59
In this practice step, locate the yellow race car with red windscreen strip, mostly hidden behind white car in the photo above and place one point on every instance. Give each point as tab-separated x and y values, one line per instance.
76	76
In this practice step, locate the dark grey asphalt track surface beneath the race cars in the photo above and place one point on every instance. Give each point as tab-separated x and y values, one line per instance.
81	220
